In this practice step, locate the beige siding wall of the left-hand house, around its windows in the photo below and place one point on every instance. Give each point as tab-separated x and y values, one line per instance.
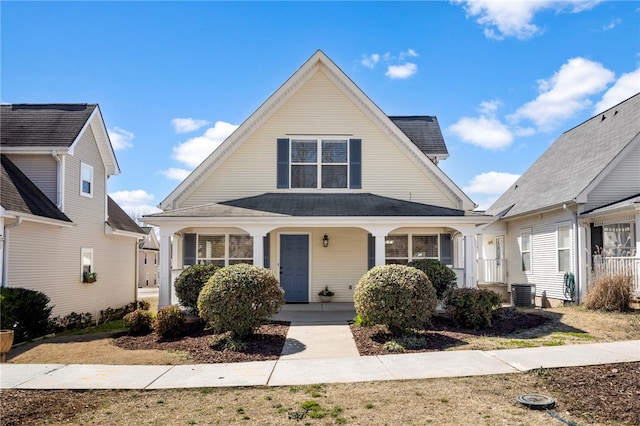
47	258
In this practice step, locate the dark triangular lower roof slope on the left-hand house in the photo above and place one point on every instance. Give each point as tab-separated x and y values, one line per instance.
18	194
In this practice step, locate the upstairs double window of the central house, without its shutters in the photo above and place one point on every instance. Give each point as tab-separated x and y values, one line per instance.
319	163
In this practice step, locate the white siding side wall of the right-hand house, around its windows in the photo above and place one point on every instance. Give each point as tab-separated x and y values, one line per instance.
544	265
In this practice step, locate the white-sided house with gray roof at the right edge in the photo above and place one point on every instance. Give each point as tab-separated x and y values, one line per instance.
576	211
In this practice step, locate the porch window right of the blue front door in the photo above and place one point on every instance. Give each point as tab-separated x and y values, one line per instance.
403	248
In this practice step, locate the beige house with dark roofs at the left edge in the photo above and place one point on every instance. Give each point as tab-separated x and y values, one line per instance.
56	219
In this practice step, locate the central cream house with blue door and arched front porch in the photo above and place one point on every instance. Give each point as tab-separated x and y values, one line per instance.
319	185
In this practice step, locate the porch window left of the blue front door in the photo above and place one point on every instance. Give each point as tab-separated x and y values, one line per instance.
223	250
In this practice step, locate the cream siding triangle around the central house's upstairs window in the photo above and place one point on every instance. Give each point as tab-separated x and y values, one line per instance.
320	108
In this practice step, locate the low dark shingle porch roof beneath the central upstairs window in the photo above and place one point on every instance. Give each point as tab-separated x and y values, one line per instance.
313	205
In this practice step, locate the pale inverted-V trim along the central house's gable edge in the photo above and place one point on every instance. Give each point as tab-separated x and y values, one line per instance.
318	61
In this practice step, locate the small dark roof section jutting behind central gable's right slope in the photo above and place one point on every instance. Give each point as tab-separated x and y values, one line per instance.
424	132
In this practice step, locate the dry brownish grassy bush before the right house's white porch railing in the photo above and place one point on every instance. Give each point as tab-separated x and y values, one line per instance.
610	293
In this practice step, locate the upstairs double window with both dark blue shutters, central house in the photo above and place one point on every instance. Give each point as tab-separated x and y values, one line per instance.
319	163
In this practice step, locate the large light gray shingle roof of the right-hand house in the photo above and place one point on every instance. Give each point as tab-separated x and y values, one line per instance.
574	161
